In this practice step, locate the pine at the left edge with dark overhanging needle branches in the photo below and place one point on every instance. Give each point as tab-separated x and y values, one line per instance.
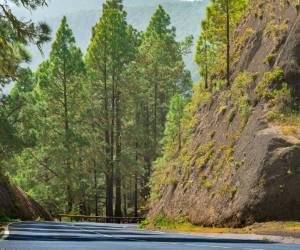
15	34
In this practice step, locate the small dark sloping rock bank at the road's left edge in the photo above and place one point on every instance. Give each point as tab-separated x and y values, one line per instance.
14	203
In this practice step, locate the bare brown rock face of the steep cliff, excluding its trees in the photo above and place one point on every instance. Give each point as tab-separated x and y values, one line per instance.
237	172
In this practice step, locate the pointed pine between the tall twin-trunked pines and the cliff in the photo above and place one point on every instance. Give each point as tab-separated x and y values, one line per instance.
163	75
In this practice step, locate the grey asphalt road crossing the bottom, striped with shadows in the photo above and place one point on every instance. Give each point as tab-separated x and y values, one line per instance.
85	236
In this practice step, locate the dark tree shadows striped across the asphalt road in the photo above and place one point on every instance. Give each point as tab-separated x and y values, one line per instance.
112	233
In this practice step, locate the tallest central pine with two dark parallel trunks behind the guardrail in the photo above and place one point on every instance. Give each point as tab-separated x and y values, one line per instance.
111	49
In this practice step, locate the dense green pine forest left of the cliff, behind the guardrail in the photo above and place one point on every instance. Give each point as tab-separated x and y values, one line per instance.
79	134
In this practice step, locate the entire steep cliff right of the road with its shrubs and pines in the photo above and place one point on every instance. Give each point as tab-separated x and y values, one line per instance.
213	163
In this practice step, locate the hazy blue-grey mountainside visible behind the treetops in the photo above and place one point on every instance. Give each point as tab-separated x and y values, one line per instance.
83	15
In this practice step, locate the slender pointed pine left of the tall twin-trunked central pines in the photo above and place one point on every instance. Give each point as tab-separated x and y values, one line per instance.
59	90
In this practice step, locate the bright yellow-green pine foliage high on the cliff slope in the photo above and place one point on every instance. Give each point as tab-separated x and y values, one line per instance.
217	28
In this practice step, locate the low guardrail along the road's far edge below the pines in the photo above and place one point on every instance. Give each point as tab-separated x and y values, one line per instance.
99	219
